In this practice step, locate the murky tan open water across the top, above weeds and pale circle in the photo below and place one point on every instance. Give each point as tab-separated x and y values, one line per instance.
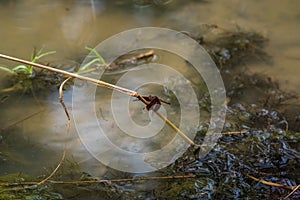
26	24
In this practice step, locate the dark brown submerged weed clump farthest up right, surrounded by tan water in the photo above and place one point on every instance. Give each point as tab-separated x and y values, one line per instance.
231	49
